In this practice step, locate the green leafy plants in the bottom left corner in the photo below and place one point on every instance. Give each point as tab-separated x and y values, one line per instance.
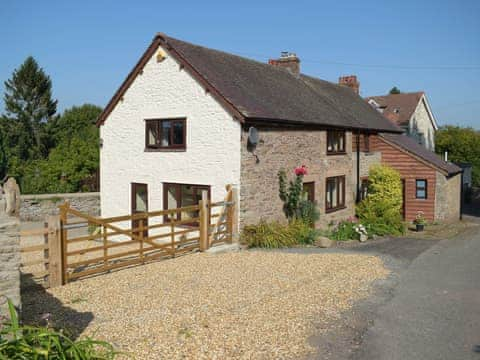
32	342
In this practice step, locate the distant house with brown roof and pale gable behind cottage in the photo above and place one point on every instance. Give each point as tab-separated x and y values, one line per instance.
410	111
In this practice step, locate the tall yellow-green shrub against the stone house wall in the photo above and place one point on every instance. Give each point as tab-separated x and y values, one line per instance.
381	210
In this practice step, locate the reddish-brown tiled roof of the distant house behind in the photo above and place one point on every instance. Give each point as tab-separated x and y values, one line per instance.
398	108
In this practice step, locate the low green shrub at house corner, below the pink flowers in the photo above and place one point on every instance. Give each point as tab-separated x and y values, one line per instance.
276	235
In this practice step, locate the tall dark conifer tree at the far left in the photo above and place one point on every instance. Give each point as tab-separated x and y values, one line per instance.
29	105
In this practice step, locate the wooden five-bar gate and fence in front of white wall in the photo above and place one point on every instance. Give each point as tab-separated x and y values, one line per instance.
66	251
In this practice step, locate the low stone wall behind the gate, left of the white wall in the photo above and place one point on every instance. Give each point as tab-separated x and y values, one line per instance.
38	207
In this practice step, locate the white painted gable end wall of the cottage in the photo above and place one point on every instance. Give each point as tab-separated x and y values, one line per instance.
212	156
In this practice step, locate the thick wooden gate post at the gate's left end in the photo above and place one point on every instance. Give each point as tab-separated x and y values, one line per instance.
55	262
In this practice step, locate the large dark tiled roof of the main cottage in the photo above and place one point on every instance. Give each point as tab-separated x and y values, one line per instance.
256	91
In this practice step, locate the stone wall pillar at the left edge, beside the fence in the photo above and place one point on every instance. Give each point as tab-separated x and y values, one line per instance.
9	262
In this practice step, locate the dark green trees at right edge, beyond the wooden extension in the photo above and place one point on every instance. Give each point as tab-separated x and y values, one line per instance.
462	145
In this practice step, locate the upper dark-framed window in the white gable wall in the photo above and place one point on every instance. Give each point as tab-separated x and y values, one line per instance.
165	134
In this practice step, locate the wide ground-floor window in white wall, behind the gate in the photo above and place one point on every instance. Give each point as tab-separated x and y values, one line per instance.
182	195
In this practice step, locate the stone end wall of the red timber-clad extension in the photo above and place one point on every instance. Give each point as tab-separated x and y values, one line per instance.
447	198
